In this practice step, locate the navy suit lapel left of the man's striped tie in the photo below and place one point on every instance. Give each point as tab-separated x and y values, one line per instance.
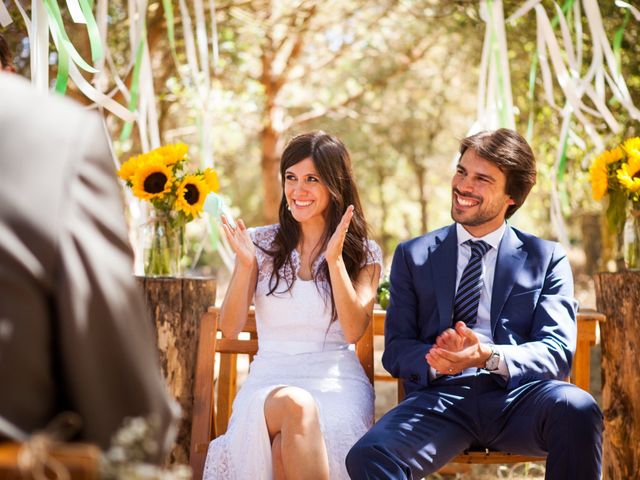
444	261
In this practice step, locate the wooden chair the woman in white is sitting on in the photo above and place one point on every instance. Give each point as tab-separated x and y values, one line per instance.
212	403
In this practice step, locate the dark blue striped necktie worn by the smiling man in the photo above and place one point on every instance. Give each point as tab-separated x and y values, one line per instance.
465	306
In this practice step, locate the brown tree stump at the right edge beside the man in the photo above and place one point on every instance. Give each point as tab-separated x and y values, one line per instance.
618	297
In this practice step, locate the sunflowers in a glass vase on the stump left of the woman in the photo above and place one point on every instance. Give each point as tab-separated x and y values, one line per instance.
177	196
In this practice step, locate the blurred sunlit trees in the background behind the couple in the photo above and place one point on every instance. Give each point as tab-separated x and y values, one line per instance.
396	80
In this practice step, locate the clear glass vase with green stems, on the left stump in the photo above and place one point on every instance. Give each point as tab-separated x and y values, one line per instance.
163	239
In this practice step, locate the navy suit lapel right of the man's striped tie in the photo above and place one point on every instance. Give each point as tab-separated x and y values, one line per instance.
510	259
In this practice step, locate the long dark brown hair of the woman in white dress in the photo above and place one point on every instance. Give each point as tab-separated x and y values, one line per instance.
331	159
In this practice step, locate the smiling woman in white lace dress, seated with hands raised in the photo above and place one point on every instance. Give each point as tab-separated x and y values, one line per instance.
313	277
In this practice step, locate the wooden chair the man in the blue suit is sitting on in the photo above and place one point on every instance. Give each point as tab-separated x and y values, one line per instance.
580	376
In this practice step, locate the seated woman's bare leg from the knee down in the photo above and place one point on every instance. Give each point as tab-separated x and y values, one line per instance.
292	413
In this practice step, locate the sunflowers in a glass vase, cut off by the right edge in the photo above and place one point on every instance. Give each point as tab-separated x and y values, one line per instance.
616	174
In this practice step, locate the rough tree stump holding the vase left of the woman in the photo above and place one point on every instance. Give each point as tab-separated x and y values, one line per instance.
176	305
